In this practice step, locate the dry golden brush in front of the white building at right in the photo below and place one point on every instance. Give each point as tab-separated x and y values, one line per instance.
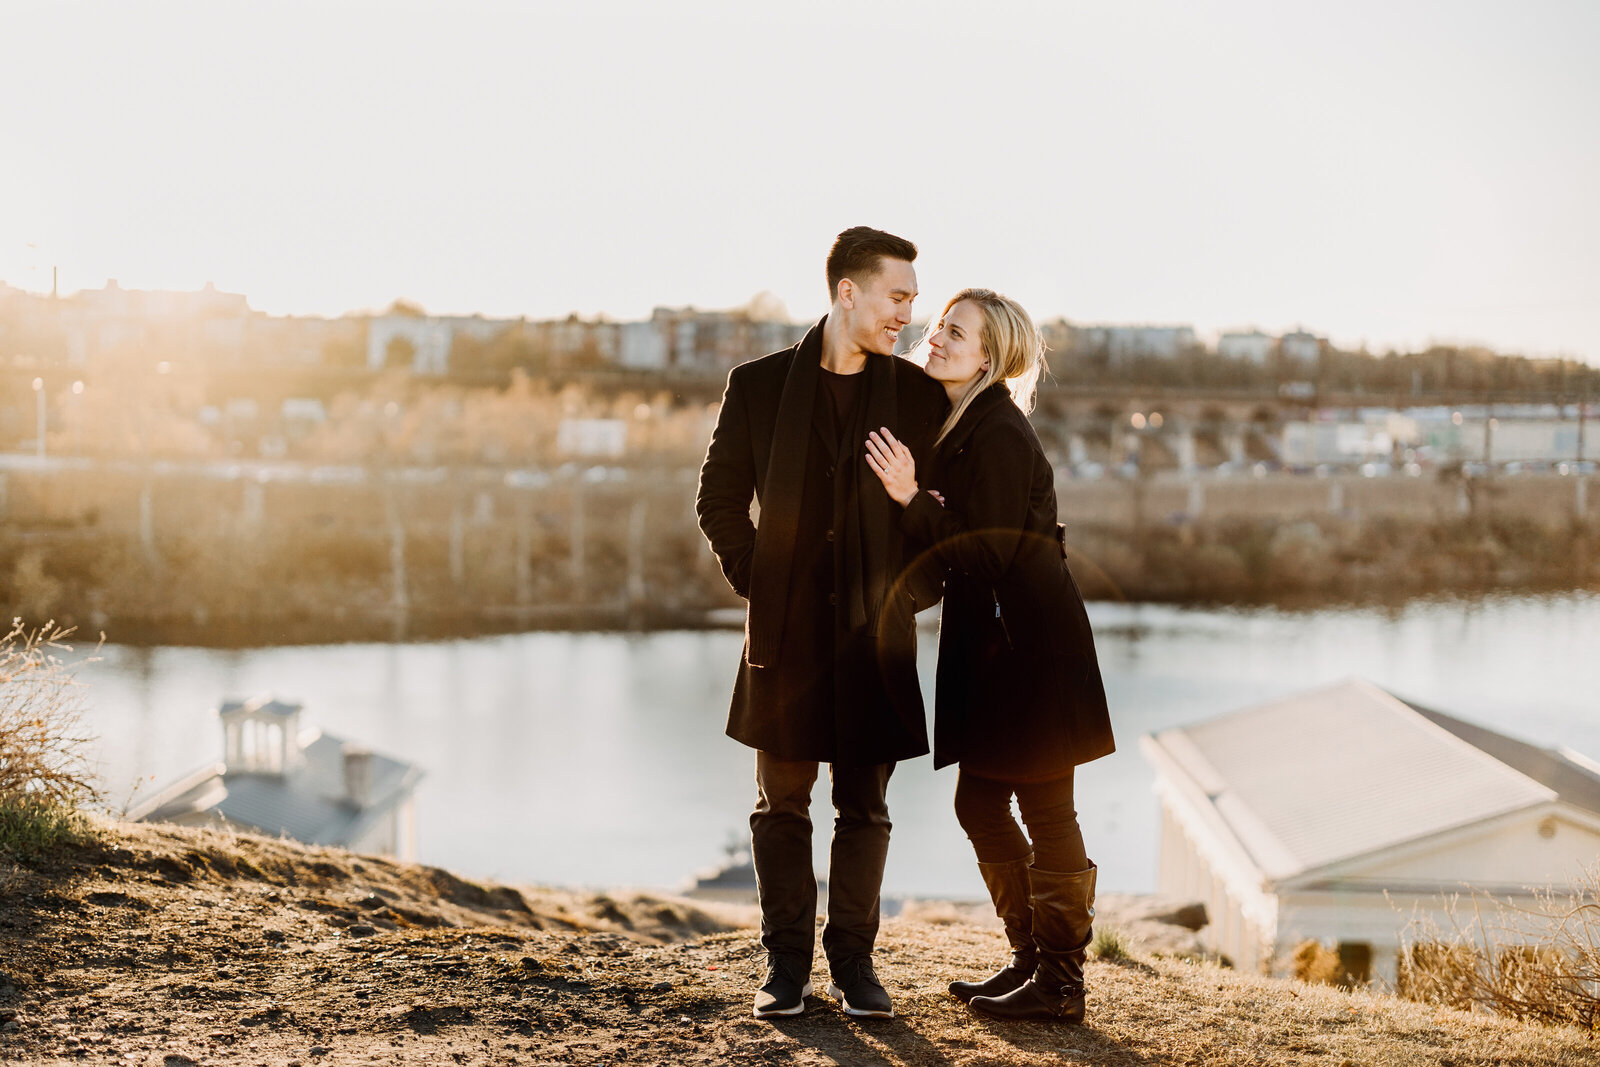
1537	962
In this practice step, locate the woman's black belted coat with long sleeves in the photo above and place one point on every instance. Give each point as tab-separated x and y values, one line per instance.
1018	693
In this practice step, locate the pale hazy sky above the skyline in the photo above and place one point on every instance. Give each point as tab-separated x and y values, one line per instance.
1391	174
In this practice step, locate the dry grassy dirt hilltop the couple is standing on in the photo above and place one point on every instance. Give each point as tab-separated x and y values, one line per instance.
177	948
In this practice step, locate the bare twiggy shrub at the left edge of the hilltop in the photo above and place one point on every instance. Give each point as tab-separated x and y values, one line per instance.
46	775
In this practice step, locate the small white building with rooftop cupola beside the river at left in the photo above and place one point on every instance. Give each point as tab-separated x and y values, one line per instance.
314	788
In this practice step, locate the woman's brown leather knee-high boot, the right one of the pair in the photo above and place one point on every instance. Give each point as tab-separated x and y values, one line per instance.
1063	929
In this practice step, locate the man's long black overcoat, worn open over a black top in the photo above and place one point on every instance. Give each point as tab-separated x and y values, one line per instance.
830	666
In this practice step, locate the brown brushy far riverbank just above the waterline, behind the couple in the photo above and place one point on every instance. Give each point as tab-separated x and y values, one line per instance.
185	562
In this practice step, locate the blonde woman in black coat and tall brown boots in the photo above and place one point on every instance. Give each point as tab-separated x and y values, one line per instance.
1018	700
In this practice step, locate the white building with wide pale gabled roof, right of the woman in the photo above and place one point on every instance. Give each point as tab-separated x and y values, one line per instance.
1340	813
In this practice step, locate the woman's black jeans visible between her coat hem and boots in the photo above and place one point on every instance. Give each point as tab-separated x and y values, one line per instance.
983	805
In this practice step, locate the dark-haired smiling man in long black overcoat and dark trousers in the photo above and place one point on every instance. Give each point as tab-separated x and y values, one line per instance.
830	669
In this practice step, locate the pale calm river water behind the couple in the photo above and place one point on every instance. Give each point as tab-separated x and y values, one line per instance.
599	759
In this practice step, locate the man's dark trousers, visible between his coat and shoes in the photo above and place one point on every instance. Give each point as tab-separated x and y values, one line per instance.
782	852
